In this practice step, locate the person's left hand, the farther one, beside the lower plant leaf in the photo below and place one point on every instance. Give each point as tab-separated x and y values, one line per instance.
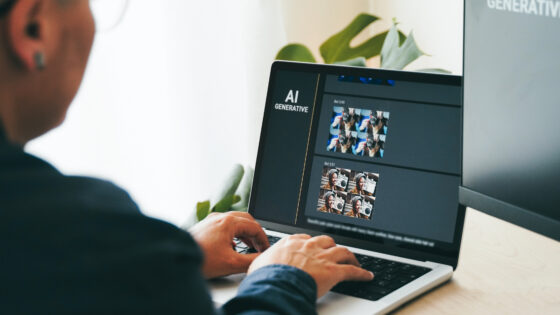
215	236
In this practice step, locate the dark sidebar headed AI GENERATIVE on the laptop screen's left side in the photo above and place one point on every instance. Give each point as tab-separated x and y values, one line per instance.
287	134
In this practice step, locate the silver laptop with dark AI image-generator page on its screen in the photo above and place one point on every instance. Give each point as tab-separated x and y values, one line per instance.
371	158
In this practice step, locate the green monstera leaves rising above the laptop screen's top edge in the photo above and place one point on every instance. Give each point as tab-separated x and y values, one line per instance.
396	49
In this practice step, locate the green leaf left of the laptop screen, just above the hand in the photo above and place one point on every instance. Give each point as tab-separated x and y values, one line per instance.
233	196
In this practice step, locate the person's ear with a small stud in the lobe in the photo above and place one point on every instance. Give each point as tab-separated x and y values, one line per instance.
27	27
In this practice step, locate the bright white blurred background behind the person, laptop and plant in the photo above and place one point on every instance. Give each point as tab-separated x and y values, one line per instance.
173	95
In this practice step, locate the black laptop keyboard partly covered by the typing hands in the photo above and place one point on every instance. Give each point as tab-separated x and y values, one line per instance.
388	275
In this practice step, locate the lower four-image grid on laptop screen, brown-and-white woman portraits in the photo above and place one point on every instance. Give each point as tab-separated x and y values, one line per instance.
347	192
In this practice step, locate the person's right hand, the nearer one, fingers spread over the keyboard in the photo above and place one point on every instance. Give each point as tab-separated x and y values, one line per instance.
319	256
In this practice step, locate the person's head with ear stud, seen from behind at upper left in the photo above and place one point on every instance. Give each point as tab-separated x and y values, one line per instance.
44	48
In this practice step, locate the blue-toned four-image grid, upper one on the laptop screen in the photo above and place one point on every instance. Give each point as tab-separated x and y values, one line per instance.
361	132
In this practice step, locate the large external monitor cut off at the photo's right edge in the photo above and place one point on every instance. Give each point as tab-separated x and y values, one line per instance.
511	127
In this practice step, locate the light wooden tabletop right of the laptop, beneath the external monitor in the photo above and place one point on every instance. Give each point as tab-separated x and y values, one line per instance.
503	269
